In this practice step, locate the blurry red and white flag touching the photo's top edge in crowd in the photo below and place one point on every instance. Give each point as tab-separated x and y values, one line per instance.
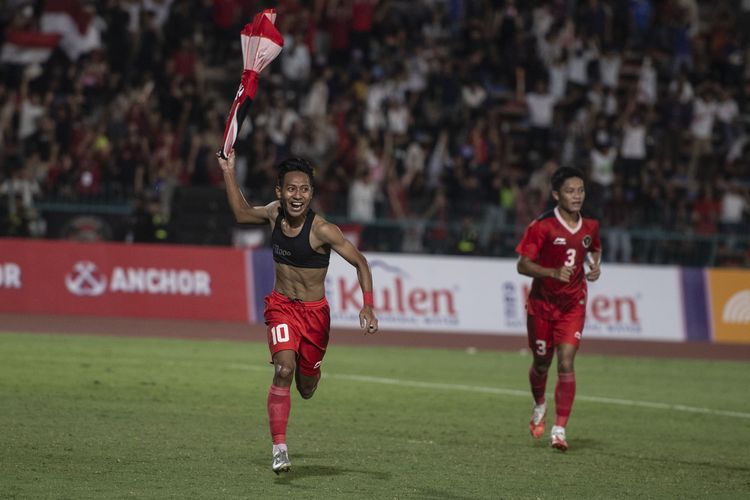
75	22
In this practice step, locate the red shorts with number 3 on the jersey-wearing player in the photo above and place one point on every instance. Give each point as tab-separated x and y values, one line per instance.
546	331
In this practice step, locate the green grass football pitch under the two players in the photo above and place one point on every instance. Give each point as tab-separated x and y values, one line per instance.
106	417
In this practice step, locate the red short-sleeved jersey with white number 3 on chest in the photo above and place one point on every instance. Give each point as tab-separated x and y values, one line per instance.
549	242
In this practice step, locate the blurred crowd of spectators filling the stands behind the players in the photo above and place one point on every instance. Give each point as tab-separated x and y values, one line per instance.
434	125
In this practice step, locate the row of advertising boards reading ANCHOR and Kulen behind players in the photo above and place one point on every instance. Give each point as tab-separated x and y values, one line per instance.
420	293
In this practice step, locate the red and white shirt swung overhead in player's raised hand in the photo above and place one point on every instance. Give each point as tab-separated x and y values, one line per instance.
261	43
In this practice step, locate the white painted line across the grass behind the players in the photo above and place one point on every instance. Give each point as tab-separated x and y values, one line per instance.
514	392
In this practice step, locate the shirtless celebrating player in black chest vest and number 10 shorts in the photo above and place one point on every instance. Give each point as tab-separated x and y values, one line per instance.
297	315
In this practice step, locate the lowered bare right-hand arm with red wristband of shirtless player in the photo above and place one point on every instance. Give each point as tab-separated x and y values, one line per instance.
330	234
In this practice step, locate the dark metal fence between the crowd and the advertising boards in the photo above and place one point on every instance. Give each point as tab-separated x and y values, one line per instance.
206	220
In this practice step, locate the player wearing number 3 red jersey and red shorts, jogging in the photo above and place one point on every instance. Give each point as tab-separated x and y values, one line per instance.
553	251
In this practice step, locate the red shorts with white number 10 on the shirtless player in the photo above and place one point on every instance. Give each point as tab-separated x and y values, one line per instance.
298	326
